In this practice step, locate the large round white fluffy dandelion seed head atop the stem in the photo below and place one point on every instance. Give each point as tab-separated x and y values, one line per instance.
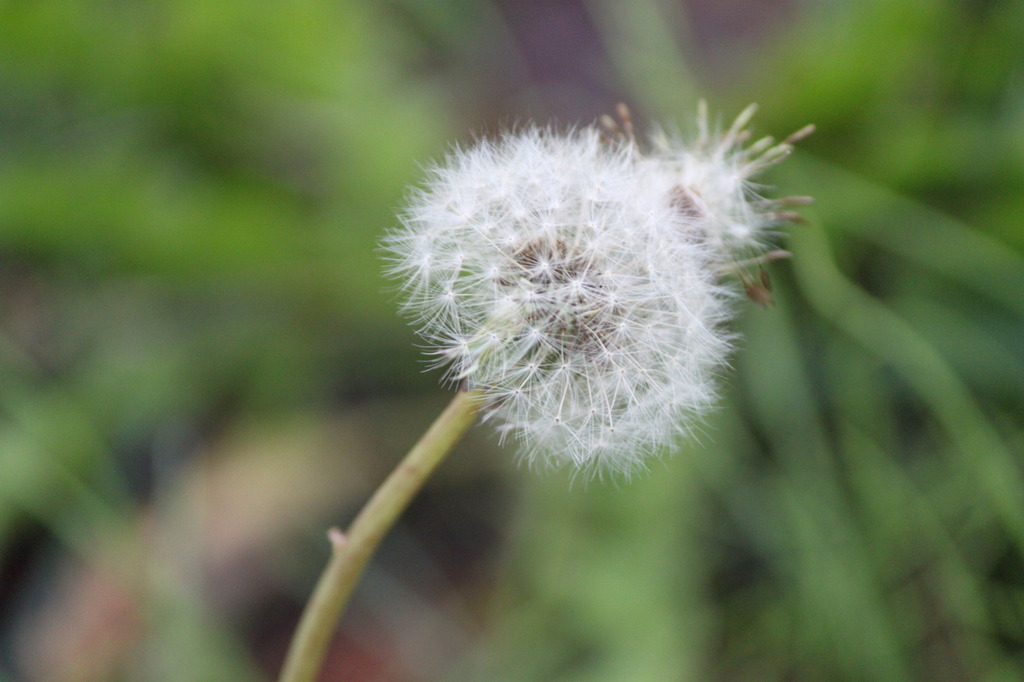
566	275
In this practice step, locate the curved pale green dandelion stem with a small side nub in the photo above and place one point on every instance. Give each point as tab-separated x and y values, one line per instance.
352	552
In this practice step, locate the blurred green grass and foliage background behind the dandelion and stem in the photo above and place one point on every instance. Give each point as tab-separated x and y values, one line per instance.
201	367
